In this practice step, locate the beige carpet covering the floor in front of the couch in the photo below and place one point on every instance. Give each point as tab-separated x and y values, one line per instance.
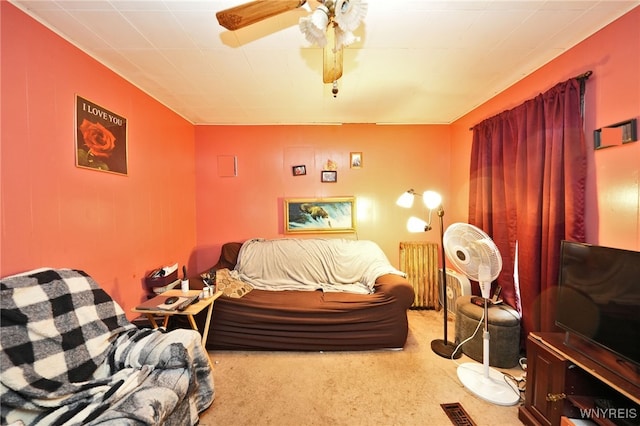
348	388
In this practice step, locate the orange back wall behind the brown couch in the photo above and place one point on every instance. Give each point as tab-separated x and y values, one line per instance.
395	158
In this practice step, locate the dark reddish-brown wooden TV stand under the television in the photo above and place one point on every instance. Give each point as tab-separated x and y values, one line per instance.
562	381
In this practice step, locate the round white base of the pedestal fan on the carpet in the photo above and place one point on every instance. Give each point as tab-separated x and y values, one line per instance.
493	389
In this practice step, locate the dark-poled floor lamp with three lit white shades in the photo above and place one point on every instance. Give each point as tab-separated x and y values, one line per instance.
433	200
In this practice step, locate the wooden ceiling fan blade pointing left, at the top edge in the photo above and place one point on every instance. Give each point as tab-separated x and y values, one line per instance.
249	13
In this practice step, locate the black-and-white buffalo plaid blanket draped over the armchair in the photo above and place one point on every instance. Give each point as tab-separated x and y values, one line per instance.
70	356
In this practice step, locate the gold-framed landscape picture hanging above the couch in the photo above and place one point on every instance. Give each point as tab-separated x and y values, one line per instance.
323	215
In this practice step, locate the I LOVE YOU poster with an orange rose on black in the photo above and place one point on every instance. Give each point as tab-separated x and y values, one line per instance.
101	138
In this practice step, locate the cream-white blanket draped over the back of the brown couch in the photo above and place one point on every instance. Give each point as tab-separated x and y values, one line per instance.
313	264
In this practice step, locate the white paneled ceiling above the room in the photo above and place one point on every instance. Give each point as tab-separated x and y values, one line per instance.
418	61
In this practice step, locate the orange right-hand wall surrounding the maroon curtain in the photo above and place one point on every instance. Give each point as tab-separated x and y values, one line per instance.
612	95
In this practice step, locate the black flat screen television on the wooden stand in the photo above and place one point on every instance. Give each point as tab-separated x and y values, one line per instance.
599	299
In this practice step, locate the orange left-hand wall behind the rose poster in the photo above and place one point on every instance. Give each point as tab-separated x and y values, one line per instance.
114	227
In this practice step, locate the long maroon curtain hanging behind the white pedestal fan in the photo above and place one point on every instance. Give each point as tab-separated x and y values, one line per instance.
527	186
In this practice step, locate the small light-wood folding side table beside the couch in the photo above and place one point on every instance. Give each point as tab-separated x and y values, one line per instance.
189	312
